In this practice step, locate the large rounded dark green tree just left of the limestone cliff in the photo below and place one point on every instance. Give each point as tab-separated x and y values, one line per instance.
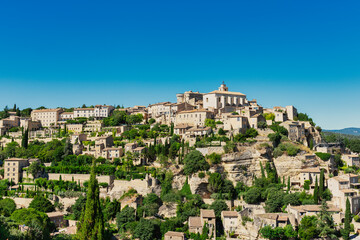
194	162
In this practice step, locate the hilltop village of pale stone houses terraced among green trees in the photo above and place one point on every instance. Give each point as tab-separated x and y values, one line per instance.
209	166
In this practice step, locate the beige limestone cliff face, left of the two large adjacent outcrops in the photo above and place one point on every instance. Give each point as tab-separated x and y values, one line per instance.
245	164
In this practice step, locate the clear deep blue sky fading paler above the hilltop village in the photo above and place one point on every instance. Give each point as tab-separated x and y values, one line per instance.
69	53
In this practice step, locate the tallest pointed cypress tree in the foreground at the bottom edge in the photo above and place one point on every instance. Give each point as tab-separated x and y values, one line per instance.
91	224
